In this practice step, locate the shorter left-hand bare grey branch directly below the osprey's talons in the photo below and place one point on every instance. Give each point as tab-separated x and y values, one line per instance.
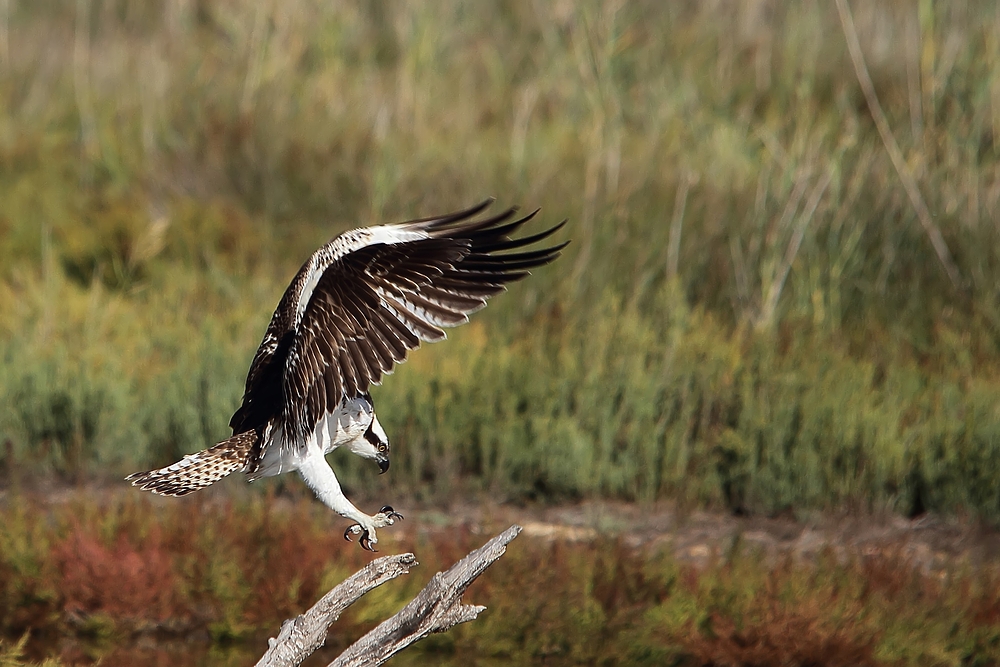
301	636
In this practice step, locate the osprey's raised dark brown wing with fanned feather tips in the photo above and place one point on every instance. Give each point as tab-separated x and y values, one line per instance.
371	295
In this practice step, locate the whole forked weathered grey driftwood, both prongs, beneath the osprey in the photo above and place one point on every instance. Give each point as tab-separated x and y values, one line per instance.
437	608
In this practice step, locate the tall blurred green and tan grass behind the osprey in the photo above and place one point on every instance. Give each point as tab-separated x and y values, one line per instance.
750	315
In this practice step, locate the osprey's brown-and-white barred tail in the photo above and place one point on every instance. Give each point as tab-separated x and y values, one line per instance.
198	470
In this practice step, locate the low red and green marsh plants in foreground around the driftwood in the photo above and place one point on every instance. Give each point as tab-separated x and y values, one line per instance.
110	575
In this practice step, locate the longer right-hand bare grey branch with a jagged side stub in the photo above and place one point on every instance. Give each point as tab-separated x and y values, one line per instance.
436	608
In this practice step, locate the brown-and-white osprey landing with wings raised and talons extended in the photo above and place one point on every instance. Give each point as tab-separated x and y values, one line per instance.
355	309
